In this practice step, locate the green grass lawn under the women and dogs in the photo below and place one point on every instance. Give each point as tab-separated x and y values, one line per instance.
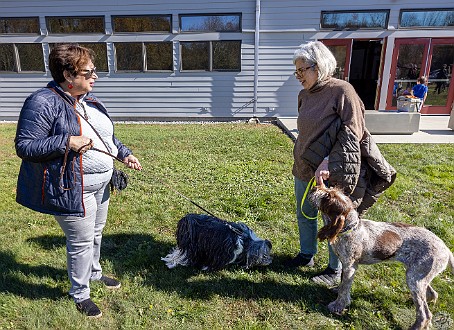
240	172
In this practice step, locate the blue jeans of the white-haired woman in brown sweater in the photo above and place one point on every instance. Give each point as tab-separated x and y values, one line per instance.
308	228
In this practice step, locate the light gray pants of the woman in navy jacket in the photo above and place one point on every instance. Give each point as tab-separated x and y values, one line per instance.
83	240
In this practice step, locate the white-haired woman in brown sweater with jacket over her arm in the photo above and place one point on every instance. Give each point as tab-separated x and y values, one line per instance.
331	130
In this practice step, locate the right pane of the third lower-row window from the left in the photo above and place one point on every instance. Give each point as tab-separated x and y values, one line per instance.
159	56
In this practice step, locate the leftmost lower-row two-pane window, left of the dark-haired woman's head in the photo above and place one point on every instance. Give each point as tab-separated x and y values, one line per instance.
21	58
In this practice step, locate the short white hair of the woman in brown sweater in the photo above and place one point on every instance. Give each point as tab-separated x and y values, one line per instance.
316	53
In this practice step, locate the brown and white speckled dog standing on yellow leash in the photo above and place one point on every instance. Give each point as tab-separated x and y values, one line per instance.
360	241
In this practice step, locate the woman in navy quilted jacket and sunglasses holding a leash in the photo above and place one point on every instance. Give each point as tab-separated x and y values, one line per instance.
60	174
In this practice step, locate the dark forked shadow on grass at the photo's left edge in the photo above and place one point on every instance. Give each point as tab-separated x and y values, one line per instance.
11	273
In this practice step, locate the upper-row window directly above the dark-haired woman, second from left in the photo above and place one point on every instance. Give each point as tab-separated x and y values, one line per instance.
86	24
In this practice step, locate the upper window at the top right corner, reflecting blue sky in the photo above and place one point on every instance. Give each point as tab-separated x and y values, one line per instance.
426	18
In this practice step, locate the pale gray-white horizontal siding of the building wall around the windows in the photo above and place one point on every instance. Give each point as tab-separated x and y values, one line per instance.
284	25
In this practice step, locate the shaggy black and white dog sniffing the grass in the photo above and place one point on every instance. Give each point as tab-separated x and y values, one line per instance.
211	243
